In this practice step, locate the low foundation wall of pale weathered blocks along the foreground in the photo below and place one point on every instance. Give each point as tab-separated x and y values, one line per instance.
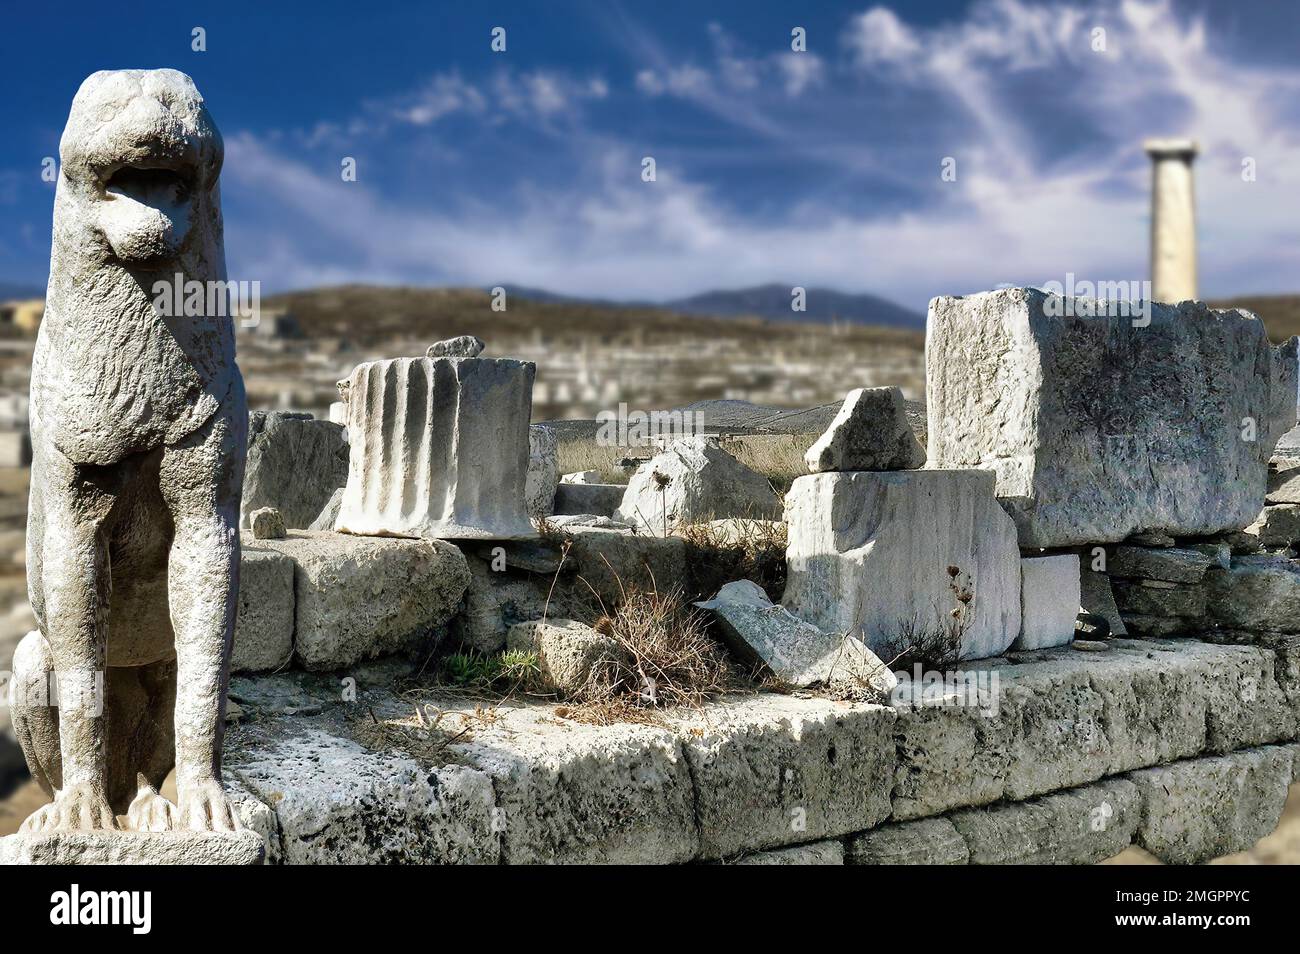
1063	765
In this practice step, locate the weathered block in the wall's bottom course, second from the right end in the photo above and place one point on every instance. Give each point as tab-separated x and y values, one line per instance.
1081	826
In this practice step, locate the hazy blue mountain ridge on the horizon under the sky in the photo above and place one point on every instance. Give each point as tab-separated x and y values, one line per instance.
770	302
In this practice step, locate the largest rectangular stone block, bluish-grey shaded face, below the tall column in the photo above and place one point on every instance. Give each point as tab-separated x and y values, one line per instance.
1103	427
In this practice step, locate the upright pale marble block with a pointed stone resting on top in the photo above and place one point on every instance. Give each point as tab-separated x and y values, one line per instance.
886	557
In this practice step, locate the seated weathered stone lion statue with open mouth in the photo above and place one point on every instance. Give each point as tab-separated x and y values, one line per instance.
138	431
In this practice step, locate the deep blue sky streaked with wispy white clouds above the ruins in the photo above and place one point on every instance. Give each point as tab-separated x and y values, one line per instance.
816	168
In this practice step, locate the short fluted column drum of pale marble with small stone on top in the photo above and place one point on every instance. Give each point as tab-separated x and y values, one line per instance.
439	449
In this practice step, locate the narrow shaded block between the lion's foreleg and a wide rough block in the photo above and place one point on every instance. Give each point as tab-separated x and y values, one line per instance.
265	622
